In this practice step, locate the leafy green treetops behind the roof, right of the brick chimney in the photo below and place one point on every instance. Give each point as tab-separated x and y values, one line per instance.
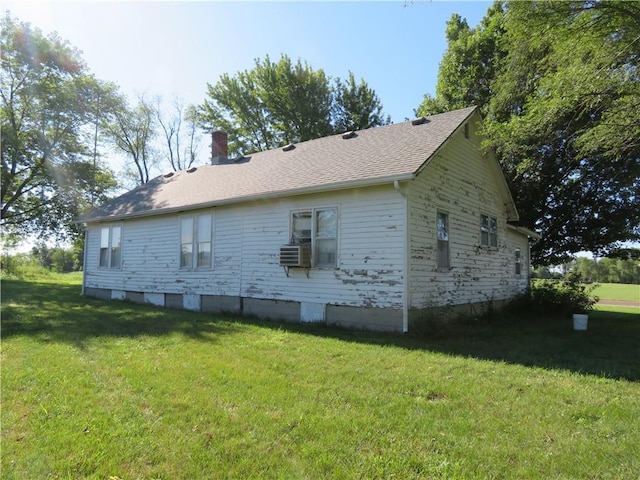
276	103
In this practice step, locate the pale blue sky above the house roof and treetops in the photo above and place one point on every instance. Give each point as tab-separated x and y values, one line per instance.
175	48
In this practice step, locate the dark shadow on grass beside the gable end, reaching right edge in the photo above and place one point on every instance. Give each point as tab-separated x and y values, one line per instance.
609	348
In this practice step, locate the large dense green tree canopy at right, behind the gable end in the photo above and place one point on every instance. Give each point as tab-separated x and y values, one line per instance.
559	85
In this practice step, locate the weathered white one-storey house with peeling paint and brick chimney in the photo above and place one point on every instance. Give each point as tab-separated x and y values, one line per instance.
368	229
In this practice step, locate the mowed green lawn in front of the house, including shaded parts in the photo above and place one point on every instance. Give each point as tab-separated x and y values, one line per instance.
95	389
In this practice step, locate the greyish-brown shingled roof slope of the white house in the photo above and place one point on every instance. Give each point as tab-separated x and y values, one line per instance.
367	157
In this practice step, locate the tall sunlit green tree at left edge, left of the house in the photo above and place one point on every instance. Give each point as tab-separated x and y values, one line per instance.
48	173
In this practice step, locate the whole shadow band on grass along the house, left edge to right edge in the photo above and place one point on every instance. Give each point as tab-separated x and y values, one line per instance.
609	348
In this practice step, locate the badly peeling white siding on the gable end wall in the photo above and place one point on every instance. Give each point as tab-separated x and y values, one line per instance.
458	181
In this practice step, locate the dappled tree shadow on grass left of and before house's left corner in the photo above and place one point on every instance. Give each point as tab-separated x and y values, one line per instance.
59	313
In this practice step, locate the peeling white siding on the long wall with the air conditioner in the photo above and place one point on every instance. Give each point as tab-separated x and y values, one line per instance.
246	244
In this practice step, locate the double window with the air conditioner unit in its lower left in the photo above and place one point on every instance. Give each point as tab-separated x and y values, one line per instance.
318	228
